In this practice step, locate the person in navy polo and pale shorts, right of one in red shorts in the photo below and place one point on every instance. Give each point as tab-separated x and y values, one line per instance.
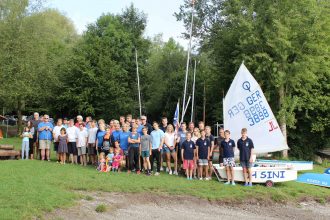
203	153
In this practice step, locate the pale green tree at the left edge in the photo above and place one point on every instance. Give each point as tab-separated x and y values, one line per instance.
31	39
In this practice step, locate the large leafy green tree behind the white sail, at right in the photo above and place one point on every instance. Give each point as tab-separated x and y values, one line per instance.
285	44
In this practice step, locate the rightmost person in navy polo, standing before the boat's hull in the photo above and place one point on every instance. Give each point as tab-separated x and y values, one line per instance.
245	146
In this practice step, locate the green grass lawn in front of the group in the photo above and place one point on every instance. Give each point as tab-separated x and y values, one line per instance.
30	188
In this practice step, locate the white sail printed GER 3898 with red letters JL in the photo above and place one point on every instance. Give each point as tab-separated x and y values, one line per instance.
245	106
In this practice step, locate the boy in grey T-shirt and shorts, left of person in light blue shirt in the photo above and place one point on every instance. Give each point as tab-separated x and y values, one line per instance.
145	150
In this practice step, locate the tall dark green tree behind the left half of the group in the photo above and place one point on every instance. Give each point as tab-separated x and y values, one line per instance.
99	77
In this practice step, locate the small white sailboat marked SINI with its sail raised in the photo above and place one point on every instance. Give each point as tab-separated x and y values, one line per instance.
245	106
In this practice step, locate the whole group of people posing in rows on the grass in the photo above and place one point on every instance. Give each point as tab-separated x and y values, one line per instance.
135	145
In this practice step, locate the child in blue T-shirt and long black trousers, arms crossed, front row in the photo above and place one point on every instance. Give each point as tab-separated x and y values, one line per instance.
133	153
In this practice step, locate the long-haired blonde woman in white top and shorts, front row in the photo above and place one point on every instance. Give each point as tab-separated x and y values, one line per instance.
170	149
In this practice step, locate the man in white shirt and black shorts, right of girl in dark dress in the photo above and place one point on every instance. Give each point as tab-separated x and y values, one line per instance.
72	132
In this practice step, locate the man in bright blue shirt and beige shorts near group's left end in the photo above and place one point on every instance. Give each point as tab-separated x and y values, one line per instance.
45	130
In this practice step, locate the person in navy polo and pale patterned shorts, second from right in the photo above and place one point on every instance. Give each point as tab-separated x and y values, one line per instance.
228	146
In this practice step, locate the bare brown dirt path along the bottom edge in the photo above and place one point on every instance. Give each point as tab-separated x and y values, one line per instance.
149	206
